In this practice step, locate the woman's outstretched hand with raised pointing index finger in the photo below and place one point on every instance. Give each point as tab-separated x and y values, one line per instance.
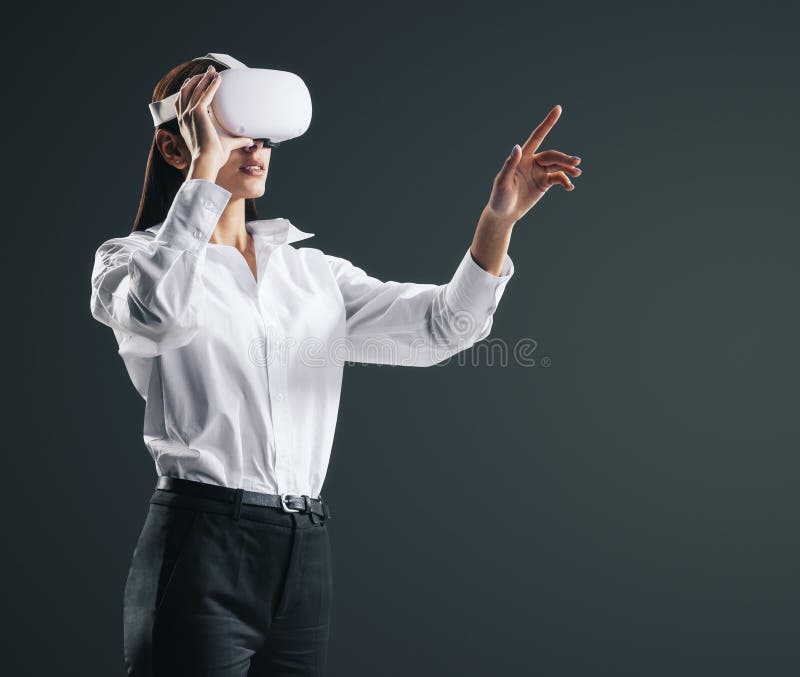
526	175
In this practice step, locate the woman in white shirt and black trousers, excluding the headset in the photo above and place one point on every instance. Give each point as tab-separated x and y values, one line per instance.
237	341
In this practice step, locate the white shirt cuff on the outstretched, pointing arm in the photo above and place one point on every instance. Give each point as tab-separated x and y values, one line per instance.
475	290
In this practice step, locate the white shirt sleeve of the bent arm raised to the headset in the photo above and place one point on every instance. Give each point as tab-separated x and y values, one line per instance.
150	290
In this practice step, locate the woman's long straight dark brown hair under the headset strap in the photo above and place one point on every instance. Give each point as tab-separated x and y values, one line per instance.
162	180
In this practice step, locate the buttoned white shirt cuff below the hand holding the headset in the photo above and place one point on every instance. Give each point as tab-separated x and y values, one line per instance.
193	215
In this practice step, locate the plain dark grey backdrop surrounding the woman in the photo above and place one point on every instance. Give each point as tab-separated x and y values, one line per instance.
629	510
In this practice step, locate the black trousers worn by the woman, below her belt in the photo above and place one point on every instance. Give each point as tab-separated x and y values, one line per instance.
213	593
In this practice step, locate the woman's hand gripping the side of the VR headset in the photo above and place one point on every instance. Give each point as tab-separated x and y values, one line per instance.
208	144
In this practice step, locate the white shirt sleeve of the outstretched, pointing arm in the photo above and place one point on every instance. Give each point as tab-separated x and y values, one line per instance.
417	324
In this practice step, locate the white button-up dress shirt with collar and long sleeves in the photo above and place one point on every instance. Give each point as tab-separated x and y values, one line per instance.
241	377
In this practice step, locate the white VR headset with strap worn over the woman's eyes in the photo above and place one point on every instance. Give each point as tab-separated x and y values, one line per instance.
259	103
